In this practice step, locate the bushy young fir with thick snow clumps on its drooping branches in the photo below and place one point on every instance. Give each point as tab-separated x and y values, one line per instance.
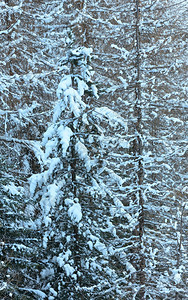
74	190
